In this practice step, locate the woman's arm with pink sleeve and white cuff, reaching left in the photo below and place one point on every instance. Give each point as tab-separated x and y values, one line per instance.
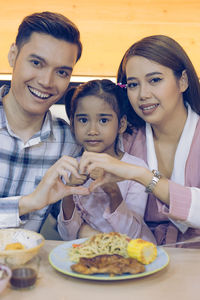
176	201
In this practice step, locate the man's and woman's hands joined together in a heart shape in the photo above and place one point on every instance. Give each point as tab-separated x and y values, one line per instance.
67	176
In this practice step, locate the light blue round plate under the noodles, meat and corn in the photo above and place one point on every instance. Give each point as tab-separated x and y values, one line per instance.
60	261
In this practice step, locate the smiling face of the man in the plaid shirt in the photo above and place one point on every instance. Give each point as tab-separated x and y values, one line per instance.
41	73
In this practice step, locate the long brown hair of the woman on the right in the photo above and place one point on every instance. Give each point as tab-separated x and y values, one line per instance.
167	52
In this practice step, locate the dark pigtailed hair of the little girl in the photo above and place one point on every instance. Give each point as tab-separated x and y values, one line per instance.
105	89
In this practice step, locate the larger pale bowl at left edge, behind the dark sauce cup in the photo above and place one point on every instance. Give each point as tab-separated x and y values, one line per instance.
31	242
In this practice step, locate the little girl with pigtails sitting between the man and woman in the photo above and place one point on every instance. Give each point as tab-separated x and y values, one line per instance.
97	119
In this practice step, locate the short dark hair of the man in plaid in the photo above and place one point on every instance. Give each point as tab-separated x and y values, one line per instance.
50	23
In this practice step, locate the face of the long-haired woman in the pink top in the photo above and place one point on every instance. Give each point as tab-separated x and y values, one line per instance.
154	92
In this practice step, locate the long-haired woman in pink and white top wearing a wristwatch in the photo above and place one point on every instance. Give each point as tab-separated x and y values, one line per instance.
164	94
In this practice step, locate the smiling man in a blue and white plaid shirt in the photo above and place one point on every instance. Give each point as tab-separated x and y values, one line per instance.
43	56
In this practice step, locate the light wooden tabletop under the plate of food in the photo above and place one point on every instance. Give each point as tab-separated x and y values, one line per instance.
180	280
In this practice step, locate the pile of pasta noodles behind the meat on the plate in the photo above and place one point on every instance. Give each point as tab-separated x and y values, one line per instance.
102	243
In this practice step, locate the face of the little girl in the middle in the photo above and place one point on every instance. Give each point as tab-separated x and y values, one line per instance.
96	125
